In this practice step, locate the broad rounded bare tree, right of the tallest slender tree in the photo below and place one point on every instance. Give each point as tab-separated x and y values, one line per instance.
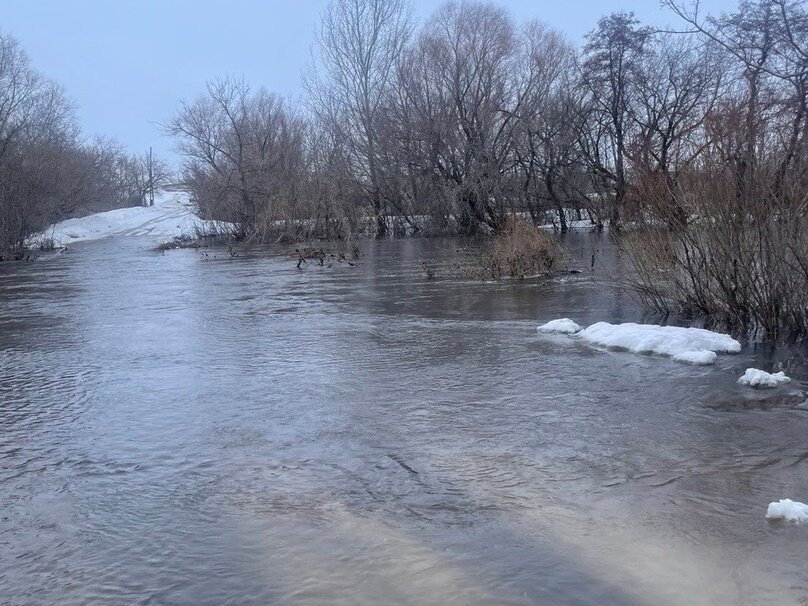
461	93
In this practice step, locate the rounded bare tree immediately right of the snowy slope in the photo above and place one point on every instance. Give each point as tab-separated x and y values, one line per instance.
245	157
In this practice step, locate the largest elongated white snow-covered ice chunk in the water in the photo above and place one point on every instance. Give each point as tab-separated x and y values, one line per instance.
682	344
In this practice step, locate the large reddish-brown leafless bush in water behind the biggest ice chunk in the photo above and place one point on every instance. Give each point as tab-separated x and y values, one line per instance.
740	259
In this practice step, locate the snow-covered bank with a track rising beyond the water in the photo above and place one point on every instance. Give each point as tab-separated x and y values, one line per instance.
172	215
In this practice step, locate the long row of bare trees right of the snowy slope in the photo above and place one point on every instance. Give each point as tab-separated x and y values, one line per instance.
456	124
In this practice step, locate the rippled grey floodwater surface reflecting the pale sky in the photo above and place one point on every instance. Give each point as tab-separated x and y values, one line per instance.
180	430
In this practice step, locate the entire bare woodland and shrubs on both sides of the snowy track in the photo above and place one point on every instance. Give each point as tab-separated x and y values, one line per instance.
690	142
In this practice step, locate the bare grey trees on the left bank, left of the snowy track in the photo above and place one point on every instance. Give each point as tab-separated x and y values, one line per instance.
48	169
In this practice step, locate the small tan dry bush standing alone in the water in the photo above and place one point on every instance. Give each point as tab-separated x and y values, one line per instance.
522	250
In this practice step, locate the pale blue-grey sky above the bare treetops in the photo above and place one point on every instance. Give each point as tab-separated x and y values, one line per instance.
126	63
